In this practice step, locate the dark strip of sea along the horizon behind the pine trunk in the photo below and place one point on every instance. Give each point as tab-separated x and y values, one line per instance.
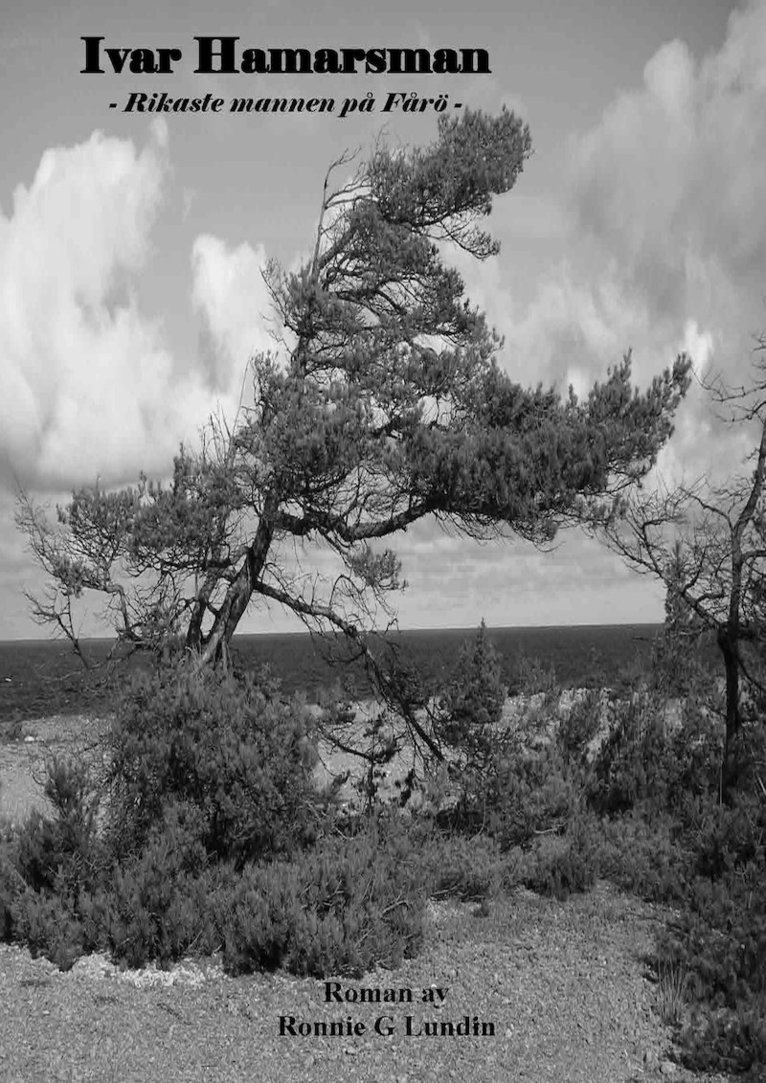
43	677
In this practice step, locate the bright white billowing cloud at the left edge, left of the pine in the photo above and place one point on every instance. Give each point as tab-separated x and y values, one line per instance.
87	377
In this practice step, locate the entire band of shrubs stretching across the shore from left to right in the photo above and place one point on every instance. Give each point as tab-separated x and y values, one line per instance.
206	833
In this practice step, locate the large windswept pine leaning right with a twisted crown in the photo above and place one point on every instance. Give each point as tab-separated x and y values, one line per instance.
383	405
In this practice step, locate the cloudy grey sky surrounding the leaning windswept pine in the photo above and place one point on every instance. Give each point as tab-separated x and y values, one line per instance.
132	245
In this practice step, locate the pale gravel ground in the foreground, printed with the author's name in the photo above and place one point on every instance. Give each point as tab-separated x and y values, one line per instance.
563	985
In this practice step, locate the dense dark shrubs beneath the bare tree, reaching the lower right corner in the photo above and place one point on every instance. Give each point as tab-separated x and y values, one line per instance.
642	806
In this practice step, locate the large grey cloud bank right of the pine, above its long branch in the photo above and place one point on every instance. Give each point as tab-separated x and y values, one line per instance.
664	231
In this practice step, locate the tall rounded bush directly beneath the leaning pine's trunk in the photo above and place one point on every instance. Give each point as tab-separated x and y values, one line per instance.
225	747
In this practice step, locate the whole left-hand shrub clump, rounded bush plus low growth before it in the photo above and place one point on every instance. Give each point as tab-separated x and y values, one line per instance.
206	834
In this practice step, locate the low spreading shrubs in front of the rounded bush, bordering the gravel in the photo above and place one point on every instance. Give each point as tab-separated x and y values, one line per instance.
344	906
